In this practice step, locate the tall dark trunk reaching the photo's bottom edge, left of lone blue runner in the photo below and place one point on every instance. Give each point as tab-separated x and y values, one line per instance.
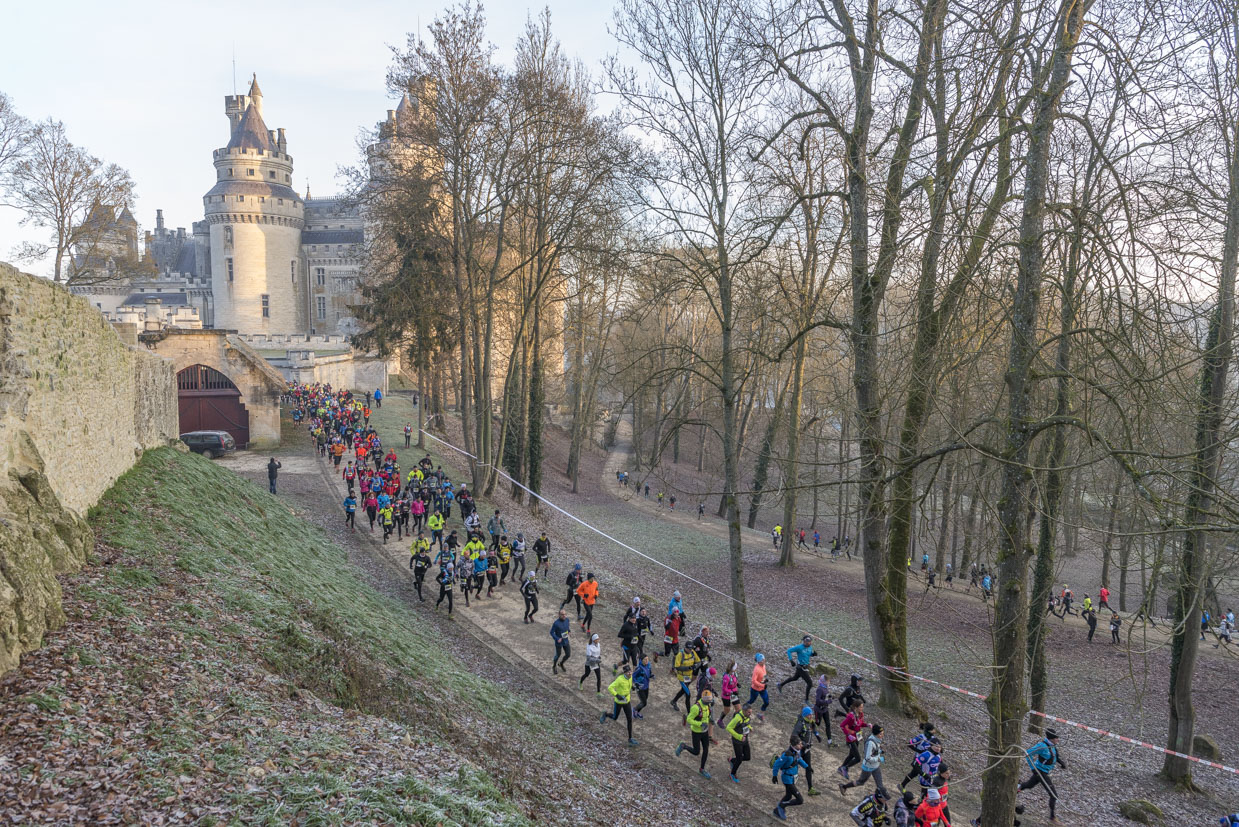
1007	701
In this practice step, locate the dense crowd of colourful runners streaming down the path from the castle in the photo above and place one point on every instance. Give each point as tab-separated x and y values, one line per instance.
462	555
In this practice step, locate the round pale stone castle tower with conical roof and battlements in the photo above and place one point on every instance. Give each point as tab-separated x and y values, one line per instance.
256	220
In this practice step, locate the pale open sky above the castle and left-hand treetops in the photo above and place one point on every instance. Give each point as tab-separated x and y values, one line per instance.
143	84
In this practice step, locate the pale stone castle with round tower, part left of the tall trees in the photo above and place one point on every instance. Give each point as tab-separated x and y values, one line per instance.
263	262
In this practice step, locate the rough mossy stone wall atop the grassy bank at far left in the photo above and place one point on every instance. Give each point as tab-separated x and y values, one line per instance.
77	409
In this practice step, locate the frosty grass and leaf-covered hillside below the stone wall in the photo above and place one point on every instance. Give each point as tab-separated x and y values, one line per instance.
224	663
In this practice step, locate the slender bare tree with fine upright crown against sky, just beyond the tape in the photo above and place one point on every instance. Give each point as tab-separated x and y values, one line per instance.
697	107
